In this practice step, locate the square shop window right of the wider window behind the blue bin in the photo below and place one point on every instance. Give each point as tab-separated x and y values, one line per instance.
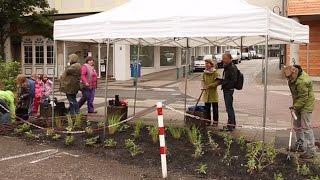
168	56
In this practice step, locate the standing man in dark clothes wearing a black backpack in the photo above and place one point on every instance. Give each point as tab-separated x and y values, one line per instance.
232	79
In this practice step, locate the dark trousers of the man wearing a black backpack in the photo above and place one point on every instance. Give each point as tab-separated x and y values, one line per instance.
228	99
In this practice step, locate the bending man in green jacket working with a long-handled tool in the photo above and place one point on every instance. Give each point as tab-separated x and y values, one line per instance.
301	89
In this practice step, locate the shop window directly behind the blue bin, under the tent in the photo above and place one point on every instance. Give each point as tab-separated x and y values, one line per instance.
146	55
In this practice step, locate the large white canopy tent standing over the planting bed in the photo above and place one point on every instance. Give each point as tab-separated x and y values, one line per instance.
185	23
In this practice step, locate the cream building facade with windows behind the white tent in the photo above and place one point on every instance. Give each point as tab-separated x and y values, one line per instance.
37	53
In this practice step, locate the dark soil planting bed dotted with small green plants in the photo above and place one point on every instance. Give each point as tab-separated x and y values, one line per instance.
181	162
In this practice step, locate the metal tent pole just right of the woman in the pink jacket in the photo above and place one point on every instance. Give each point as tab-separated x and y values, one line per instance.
106	92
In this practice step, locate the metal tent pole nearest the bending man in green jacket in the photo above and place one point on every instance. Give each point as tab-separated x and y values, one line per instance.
265	88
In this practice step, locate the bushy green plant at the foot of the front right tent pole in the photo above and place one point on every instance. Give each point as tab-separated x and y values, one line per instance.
259	156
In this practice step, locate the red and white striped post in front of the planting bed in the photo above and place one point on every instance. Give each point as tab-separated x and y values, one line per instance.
162	140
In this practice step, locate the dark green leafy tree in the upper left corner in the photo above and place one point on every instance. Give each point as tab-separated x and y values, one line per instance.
28	16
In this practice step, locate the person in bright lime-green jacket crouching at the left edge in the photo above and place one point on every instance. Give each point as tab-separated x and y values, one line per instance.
7	107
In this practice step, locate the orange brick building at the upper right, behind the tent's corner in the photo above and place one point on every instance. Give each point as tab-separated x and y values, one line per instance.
306	12
